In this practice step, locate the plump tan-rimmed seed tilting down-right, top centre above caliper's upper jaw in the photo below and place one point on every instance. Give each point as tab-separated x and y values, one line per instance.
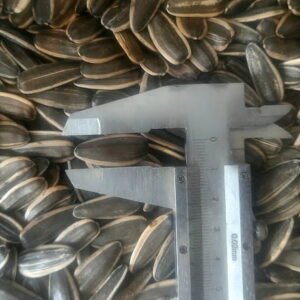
169	41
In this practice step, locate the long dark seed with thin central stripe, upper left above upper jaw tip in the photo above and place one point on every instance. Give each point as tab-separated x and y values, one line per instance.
47	76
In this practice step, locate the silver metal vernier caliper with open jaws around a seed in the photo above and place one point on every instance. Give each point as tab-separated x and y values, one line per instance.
211	196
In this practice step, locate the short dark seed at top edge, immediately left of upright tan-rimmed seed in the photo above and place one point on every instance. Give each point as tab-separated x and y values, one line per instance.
116	17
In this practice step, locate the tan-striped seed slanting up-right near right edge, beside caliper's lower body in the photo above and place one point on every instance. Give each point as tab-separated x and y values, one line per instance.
275	242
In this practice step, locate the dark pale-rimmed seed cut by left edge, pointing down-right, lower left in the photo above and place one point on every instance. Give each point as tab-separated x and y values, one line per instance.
10	229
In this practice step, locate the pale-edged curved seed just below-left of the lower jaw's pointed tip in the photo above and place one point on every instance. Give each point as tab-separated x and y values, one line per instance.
52	197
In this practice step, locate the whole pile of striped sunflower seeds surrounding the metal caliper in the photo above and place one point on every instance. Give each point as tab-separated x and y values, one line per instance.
58	57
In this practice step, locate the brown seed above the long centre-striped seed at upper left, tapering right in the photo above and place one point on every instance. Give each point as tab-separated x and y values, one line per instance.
56	43
